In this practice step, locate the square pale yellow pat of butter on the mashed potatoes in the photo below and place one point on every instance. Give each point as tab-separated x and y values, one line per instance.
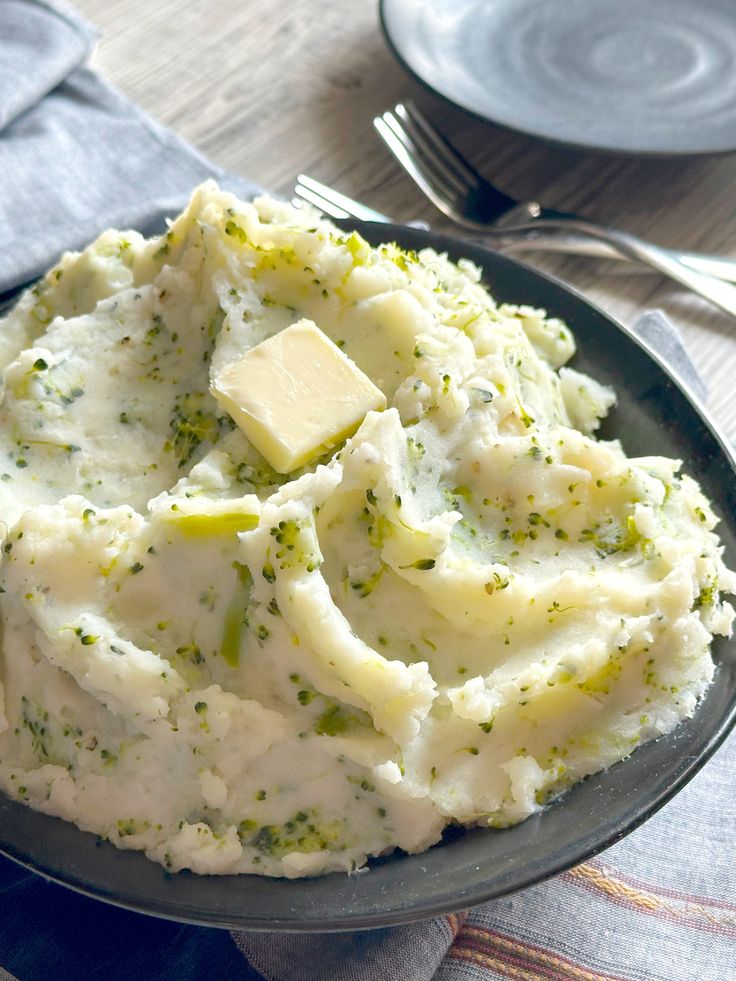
296	395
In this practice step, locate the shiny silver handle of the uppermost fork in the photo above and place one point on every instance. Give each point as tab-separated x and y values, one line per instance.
717	292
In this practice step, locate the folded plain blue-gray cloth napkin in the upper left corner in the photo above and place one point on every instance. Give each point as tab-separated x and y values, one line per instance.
83	158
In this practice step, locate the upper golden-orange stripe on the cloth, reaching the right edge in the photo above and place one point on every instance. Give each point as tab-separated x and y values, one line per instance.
683	911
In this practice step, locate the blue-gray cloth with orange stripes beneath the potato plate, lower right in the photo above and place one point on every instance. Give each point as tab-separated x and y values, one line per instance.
658	906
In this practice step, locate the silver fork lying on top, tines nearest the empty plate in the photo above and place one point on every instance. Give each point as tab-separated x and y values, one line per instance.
474	203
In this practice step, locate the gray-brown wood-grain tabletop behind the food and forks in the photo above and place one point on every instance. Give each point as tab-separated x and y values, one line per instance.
273	89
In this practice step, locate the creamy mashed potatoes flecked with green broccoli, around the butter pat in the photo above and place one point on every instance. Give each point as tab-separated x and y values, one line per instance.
468	607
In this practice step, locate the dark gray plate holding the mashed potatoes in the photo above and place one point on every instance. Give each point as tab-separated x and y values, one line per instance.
654	415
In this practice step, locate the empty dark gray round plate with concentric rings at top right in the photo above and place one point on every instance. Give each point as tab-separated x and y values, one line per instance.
654	77
